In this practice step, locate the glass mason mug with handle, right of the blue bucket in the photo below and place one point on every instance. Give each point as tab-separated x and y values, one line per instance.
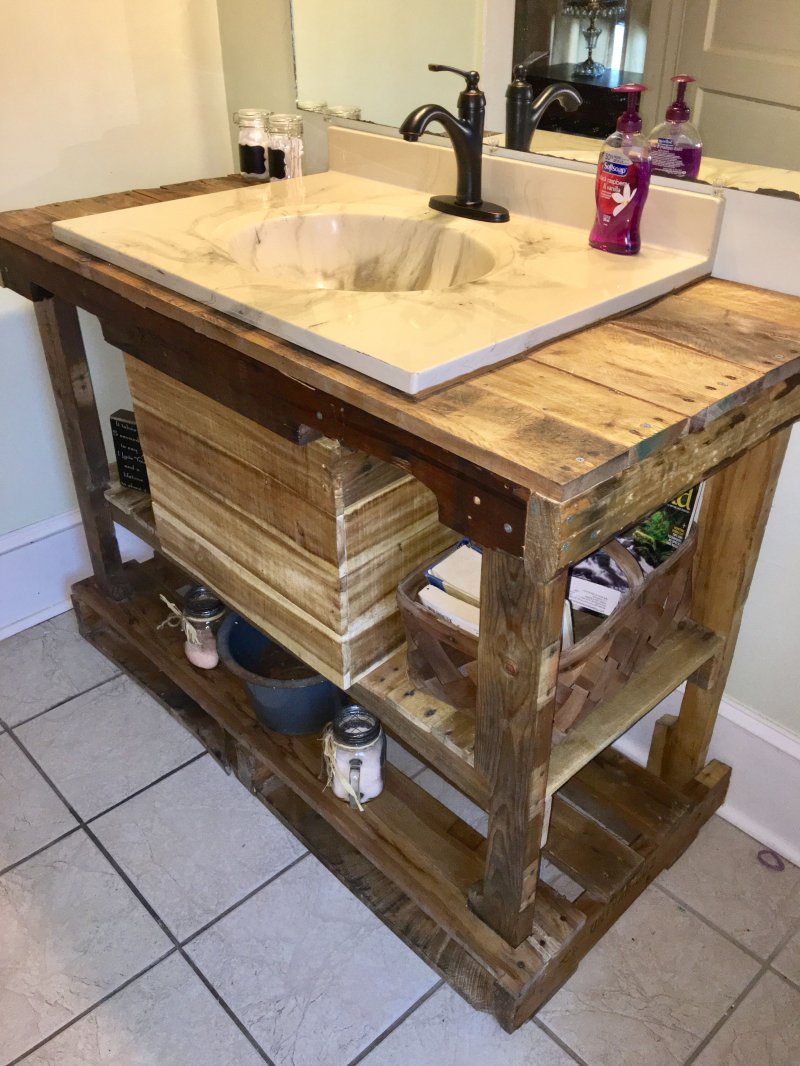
355	750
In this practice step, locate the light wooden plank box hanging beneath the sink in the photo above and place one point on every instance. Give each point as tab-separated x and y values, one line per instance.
308	541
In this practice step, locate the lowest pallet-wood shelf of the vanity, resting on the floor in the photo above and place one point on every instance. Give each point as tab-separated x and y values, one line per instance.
615	826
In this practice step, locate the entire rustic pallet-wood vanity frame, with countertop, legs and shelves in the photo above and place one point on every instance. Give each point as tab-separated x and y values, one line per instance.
540	462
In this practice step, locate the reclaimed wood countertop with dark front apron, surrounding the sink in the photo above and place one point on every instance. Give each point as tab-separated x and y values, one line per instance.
556	423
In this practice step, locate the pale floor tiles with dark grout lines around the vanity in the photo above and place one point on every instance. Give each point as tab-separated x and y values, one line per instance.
154	914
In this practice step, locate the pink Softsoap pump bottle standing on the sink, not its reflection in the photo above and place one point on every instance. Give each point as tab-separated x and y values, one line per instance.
623	181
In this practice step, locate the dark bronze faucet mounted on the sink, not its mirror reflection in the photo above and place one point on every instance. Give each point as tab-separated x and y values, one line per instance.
467	135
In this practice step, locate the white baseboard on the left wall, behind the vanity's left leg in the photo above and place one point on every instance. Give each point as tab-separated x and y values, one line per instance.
39	564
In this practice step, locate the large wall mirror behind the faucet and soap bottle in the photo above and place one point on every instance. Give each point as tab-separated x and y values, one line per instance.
374	57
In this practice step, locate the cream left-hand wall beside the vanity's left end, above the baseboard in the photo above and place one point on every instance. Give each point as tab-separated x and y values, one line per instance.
98	96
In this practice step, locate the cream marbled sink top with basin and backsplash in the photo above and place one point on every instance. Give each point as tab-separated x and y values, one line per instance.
364	273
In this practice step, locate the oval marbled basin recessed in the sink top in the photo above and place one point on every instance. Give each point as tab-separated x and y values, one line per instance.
360	253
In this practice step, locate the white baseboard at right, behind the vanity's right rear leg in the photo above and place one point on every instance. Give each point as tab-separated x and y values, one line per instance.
764	797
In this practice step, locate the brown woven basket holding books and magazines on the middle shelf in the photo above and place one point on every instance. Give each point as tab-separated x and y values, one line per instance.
443	659
